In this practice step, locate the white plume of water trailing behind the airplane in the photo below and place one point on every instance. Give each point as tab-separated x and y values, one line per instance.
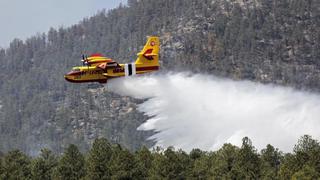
201	111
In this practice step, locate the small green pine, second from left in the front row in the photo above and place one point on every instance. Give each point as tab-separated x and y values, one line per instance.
43	166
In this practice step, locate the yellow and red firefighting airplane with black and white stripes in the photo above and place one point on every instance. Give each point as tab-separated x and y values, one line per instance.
97	68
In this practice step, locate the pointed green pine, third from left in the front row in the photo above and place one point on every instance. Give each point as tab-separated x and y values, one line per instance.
71	164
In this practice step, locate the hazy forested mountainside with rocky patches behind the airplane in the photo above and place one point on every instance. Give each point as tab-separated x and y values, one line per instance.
270	41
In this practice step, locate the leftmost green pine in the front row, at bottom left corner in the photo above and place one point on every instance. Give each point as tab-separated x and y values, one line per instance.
16	166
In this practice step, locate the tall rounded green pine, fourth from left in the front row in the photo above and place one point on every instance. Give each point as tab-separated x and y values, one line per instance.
98	160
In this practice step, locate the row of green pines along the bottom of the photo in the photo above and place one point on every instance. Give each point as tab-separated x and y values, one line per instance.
111	161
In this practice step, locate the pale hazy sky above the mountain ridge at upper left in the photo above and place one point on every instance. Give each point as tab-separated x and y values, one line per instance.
24	18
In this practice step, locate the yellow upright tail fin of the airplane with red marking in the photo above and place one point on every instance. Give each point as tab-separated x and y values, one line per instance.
149	55
